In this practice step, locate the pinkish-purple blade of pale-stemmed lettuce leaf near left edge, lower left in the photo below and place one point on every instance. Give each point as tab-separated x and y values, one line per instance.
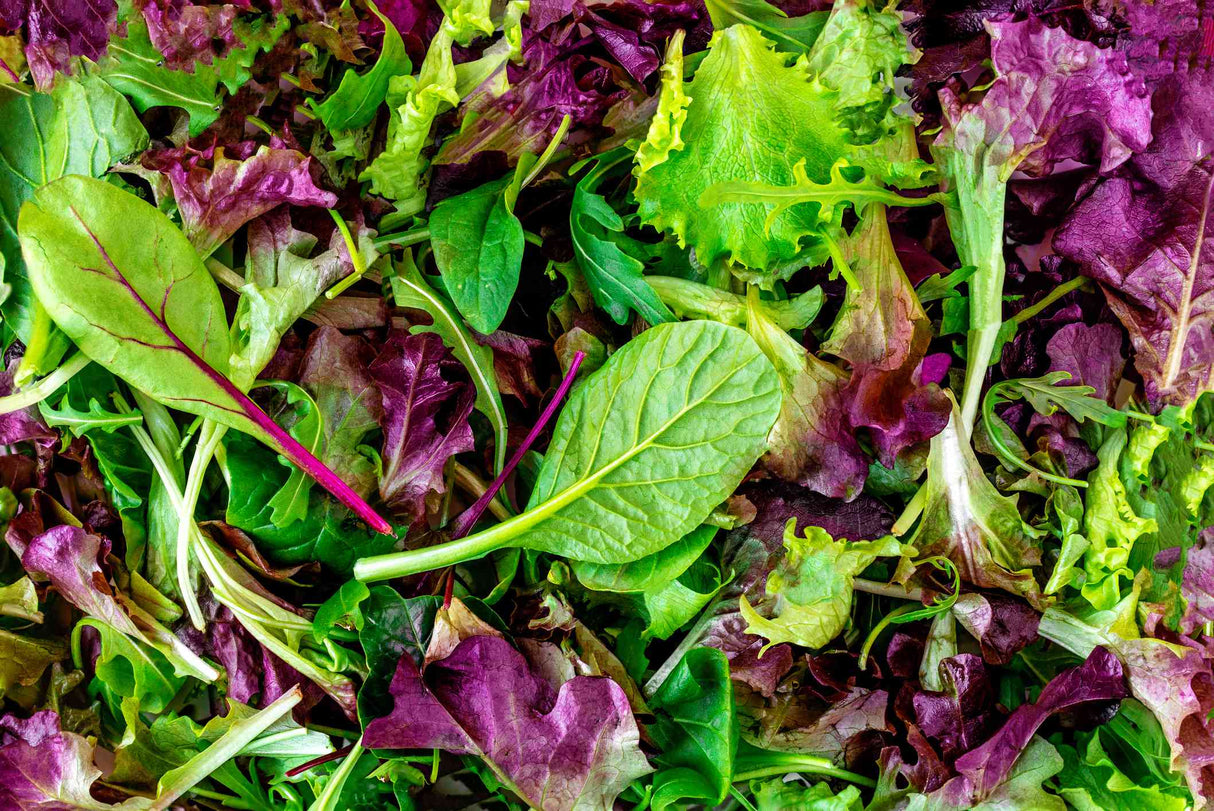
72	560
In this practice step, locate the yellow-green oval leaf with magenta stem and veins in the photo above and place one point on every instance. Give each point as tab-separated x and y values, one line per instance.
148	310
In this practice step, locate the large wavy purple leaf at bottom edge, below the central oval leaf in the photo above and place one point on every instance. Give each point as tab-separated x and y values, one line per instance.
559	750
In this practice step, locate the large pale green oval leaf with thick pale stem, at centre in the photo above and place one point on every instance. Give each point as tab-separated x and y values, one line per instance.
645	450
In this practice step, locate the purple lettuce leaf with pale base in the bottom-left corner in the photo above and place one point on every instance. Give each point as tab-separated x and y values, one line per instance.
46	768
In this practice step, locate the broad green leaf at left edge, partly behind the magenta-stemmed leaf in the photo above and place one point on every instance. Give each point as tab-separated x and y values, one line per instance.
86	127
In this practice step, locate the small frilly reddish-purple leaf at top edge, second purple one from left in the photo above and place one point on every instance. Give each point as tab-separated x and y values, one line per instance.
186	33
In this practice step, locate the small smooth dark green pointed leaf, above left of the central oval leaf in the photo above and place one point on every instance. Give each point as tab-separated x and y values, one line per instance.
479	248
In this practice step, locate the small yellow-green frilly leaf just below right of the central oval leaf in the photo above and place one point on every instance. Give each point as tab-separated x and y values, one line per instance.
809	596
